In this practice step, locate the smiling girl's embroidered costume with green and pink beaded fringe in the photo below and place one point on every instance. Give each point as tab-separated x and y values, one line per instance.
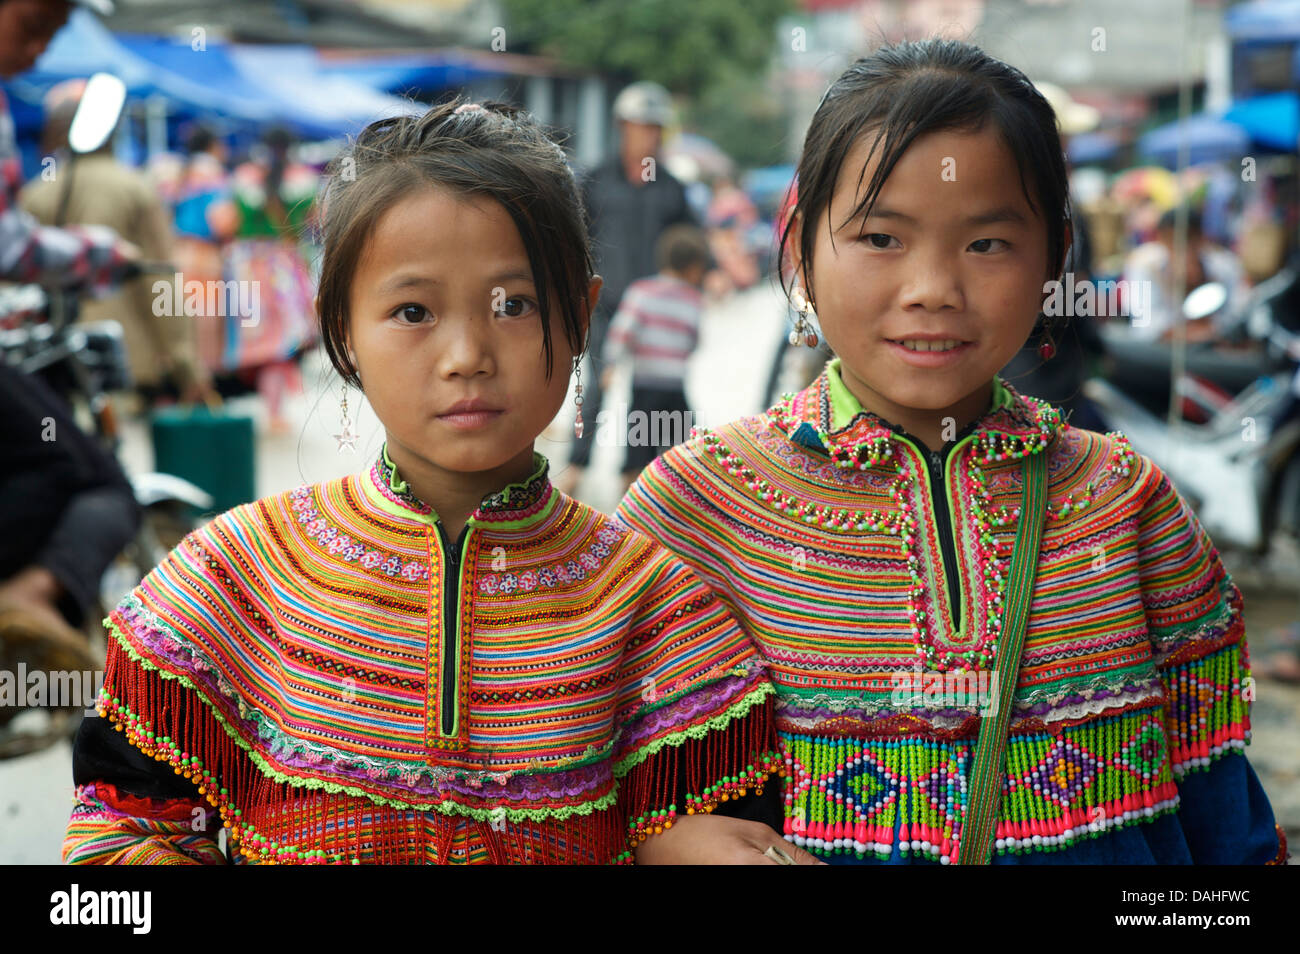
873	574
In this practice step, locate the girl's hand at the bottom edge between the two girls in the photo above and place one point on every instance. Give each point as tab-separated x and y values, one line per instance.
718	840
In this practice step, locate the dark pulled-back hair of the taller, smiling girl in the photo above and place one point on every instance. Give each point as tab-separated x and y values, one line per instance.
912	89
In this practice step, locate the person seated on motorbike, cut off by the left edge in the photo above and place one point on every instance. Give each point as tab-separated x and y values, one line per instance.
66	508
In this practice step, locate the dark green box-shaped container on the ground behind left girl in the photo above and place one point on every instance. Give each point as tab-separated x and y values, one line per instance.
215	450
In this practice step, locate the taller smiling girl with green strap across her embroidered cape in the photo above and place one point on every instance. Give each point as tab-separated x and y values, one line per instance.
996	639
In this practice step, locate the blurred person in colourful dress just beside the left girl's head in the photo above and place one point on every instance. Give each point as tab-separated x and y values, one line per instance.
274	200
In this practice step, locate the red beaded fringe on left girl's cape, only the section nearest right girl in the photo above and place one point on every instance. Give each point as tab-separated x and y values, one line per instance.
722	766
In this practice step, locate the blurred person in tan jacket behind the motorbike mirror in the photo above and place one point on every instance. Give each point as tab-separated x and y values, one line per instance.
97	189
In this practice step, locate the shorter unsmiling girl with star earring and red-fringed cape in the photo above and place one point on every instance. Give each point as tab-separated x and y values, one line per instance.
441	658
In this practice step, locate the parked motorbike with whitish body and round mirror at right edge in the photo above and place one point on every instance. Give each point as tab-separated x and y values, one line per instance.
1240	469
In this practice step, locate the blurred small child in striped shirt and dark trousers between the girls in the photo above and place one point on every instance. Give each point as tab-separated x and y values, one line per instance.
658	328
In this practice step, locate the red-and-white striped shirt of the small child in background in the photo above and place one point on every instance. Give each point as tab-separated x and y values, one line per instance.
658	327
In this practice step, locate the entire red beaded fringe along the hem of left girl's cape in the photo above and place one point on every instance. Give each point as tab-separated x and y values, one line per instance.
271	822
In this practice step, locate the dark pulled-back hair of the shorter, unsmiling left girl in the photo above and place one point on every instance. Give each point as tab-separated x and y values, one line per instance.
497	151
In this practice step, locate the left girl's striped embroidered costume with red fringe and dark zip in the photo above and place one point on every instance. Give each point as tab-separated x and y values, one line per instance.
341	683
